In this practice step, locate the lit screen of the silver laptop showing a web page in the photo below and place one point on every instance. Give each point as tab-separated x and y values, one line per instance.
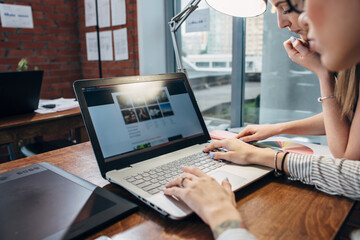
137	117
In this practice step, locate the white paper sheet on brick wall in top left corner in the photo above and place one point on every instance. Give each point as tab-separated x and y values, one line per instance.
15	16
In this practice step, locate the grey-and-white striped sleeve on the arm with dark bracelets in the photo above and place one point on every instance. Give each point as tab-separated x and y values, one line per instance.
330	175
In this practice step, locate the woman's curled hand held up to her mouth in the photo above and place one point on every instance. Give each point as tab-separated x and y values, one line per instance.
299	52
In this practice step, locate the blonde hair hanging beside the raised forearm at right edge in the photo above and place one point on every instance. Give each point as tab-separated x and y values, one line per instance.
347	90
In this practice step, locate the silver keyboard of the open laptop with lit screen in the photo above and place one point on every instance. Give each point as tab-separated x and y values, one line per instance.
155	179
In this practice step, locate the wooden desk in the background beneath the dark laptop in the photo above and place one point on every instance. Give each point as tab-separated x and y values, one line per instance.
27	126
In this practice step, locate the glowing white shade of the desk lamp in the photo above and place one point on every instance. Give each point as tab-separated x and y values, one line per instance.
239	8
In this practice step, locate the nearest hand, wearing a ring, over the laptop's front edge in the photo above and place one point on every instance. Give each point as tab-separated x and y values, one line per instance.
213	203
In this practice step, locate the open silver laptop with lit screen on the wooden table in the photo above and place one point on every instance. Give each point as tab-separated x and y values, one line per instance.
144	128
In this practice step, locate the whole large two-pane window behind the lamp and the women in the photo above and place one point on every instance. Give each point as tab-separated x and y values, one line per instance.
275	89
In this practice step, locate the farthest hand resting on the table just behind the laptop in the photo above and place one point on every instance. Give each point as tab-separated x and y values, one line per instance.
258	132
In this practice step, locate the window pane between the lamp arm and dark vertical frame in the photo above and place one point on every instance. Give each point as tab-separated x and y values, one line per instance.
207	56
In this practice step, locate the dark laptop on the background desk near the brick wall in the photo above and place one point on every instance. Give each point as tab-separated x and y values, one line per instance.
19	92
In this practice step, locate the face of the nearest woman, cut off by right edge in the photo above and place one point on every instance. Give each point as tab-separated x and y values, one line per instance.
335	31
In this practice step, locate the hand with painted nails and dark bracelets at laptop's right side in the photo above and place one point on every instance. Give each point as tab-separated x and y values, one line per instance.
237	151
